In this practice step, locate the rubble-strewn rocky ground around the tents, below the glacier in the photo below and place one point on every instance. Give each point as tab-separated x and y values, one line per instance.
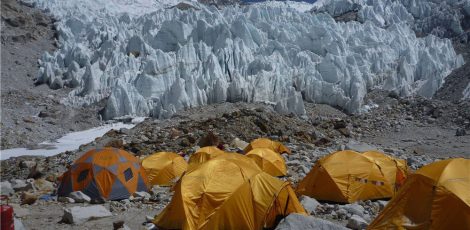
416	129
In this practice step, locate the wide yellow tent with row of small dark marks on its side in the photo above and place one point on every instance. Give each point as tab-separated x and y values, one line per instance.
348	176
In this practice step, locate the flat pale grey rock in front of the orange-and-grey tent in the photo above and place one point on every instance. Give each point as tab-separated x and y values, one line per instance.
79	215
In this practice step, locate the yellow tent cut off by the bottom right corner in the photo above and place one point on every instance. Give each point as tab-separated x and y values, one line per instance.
437	196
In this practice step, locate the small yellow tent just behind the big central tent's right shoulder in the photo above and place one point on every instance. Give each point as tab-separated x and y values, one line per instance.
269	161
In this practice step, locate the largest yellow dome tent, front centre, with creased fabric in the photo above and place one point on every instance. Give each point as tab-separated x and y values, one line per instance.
228	193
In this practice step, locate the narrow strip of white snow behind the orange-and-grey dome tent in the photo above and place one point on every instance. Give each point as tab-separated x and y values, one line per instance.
68	142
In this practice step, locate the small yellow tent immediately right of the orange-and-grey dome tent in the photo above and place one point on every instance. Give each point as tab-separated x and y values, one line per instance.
164	168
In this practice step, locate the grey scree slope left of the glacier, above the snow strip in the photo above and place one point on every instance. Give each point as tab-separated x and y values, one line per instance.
32	114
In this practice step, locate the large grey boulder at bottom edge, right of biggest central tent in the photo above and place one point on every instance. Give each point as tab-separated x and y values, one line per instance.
296	221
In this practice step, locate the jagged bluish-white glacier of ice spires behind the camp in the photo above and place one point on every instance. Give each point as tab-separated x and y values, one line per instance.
150	58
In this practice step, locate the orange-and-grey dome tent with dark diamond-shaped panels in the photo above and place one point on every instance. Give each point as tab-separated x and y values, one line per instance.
100	173
